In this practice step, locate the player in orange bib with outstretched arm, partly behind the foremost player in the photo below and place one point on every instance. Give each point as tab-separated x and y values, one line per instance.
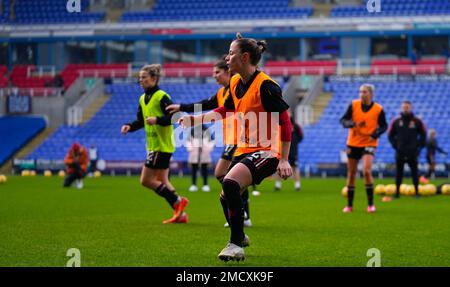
222	76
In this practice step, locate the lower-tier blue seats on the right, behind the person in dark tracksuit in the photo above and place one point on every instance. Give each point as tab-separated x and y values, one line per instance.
325	139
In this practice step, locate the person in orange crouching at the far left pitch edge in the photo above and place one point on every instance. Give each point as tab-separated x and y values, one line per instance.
77	161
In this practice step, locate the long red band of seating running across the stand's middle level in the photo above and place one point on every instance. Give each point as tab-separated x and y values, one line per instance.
40	80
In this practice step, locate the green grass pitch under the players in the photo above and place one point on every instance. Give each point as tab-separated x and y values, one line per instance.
114	221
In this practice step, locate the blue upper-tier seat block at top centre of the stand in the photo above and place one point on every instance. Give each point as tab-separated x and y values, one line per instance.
179	10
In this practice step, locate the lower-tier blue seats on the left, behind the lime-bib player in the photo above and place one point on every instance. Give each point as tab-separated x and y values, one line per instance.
103	130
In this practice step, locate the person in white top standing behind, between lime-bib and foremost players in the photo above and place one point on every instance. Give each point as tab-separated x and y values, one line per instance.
199	146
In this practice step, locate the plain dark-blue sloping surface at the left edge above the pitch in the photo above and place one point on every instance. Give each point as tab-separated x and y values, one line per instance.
16	132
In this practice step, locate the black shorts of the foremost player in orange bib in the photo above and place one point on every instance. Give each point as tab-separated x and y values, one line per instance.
260	164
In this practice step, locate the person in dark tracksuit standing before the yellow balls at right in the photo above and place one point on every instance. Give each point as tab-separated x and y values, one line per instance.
407	136
